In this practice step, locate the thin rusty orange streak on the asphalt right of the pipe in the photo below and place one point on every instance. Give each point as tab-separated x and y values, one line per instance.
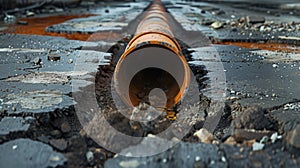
264	46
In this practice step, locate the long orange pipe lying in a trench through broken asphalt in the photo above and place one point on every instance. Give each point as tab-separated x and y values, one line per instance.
152	59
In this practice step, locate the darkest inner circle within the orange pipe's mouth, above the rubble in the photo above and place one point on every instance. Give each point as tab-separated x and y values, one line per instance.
161	84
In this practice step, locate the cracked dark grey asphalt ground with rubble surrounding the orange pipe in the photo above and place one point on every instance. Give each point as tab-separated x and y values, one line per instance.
245	57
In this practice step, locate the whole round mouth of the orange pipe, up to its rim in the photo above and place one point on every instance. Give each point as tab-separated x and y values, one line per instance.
147	68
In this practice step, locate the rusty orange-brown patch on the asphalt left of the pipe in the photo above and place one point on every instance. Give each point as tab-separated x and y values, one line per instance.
37	26
